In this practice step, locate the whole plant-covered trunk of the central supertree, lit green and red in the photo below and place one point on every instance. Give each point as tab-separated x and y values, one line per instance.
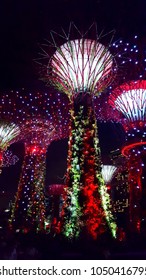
83	203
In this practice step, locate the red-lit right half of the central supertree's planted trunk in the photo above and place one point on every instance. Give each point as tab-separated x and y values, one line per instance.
92	179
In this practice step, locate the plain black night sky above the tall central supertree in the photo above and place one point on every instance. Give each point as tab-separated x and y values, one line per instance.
24	24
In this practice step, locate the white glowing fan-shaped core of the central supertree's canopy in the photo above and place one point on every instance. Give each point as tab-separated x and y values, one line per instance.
81	64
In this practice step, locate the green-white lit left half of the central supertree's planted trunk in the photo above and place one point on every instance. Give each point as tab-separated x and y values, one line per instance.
72	210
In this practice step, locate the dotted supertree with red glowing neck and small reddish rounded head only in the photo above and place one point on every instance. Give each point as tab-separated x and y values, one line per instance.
37	134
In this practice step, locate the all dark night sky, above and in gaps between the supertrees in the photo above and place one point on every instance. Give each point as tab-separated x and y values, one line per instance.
25	24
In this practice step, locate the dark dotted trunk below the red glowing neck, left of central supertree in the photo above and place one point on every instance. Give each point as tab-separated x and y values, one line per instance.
28	213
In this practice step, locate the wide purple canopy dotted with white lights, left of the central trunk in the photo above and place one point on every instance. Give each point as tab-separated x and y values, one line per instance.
35	111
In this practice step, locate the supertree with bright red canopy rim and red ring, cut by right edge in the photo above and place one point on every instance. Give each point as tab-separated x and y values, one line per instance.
130	100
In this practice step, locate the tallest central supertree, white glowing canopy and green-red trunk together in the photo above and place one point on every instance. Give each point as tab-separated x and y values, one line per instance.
82	68
